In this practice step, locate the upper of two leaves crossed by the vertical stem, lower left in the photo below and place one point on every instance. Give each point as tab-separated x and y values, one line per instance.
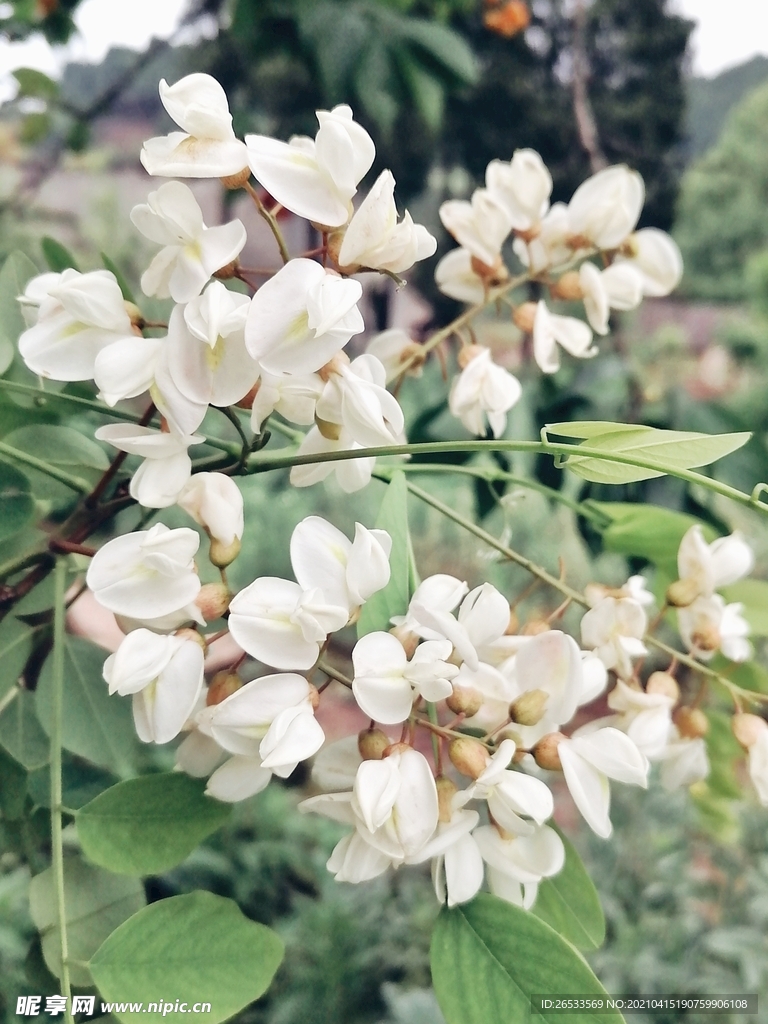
96	726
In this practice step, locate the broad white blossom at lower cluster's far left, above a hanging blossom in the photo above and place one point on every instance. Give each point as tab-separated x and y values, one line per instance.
147	575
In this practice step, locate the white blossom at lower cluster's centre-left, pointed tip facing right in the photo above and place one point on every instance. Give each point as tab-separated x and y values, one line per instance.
278	623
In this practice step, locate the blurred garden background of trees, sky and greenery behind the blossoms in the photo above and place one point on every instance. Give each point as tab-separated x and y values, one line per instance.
678	91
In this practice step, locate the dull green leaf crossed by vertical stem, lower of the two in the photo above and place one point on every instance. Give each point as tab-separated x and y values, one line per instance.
97	903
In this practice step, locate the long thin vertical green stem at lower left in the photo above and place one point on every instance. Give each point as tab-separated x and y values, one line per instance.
56	776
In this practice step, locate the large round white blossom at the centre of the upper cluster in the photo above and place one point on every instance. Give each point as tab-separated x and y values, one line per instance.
302	318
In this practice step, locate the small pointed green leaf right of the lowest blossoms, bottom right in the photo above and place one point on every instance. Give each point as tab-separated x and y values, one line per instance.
569	903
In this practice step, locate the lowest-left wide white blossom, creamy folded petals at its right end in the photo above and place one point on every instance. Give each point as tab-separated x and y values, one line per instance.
271	718
